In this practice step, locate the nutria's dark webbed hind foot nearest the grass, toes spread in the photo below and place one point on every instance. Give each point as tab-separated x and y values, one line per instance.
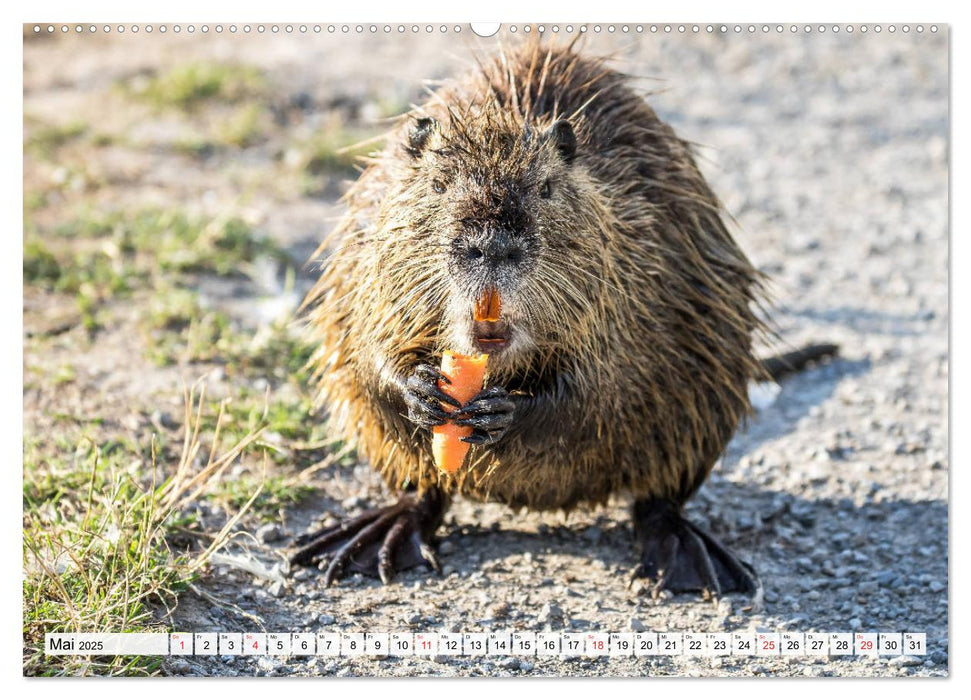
380	541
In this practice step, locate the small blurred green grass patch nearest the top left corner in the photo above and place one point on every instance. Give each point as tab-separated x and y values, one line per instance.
188	86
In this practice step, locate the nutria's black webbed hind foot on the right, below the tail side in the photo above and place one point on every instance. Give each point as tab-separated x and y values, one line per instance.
679	556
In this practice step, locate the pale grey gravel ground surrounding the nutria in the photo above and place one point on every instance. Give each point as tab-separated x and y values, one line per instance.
832	154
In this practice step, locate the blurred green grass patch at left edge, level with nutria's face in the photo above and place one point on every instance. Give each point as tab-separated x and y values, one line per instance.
104	256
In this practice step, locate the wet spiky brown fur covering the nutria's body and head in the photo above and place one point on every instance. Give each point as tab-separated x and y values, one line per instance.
643	314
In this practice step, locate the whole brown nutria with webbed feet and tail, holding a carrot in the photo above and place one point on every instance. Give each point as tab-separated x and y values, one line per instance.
621	361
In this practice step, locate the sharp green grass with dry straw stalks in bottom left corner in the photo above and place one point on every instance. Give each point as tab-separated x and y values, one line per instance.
97	523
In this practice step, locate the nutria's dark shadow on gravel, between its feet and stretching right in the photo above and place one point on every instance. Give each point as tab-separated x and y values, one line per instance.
751	520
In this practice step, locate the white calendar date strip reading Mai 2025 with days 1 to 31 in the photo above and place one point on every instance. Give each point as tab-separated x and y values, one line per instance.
522	644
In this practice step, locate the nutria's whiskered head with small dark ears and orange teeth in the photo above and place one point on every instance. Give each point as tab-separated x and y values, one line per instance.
494	209
